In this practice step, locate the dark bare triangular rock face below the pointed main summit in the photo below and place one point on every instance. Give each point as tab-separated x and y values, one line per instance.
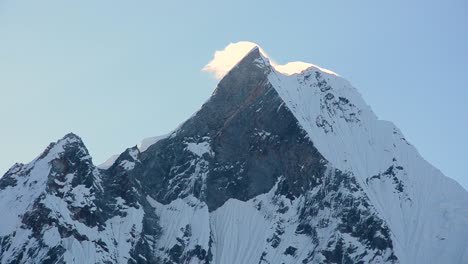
250	151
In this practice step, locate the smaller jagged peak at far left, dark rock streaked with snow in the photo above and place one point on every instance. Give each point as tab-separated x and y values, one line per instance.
45	199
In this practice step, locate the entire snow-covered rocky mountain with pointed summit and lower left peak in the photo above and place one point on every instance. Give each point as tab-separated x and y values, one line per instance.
274	168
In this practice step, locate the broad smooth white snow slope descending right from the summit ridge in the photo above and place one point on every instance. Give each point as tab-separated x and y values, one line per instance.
427	212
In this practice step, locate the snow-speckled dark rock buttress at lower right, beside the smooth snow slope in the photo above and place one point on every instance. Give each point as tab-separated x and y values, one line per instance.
344	199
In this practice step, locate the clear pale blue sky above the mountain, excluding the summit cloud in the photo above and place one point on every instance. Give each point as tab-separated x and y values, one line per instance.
115	72
